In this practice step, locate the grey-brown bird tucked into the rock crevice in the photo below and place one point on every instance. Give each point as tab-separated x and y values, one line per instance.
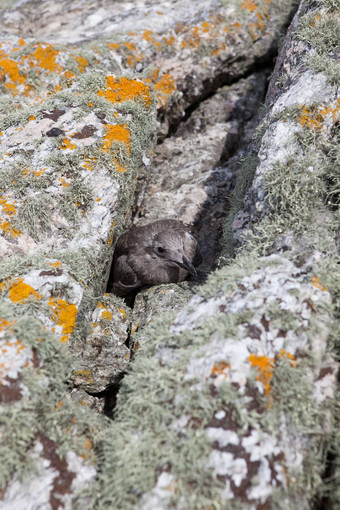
160	252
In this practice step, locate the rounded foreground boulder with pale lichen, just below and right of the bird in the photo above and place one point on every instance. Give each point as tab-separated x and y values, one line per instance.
234	381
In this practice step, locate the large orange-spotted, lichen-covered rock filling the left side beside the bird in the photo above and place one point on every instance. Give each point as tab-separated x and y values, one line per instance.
70	150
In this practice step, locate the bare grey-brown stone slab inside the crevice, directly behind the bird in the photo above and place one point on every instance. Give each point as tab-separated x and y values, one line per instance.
194	171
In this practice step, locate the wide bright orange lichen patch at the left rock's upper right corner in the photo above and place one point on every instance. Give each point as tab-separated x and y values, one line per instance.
124	89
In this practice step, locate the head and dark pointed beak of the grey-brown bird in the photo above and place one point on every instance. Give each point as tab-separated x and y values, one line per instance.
169	247
